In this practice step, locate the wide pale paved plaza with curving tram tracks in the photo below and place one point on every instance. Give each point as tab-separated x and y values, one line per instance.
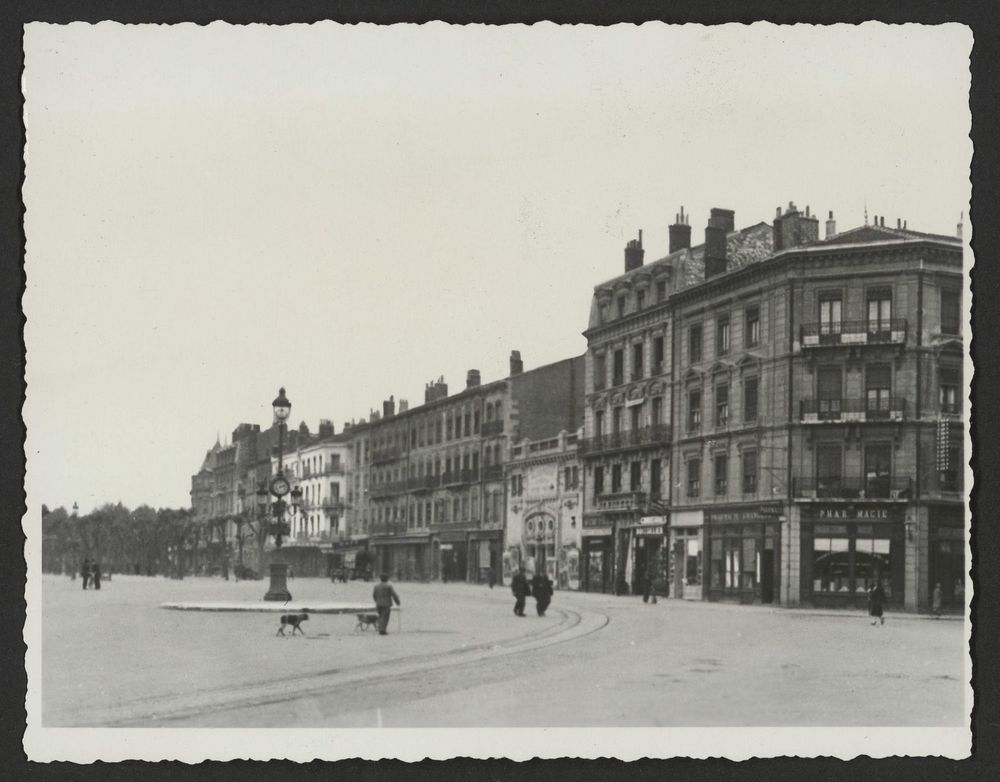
457	656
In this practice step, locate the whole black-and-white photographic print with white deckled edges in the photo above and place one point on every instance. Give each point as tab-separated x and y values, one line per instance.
421	391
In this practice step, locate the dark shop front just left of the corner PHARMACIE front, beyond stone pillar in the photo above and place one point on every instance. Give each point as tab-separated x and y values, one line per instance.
744	545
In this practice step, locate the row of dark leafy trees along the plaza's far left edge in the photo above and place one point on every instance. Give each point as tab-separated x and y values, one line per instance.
164	541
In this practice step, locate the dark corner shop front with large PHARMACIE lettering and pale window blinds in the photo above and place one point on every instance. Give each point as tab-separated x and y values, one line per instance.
847	549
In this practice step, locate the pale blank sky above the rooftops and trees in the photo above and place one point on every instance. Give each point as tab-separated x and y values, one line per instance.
350	212
